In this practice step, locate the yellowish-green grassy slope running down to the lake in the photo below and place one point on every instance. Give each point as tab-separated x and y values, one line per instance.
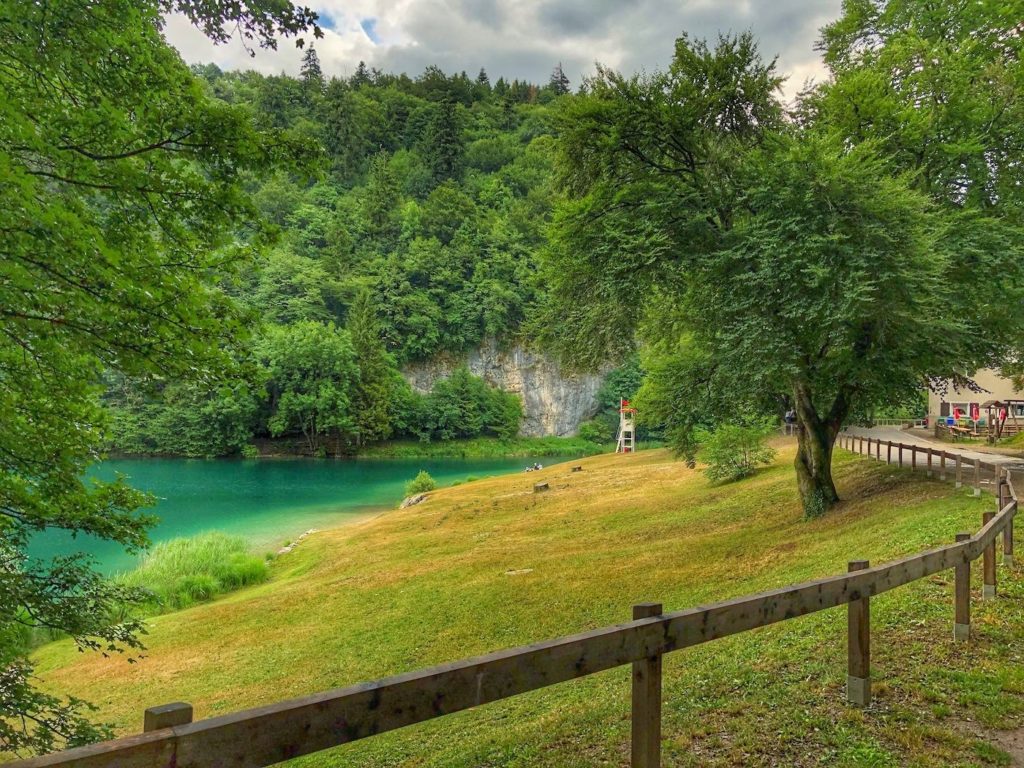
433	584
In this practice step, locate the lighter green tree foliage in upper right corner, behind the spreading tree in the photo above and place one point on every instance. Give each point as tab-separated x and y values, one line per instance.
938	87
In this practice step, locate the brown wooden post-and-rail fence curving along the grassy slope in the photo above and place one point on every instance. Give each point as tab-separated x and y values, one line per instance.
280	732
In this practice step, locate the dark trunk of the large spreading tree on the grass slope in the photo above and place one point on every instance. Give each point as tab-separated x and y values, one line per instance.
817	439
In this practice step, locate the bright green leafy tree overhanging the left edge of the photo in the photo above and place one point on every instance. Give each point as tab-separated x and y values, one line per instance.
120	190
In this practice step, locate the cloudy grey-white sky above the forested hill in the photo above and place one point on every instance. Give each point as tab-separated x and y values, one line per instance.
527	38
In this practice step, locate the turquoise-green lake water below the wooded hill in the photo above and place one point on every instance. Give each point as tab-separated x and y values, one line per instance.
268	501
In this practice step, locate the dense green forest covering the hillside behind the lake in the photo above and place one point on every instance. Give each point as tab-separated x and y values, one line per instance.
417	234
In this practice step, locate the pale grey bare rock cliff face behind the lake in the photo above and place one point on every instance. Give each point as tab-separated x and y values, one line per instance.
554	404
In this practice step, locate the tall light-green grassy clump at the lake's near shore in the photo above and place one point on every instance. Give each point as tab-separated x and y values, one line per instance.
184	572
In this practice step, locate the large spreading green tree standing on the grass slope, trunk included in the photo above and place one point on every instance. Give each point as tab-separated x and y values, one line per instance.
774	264
